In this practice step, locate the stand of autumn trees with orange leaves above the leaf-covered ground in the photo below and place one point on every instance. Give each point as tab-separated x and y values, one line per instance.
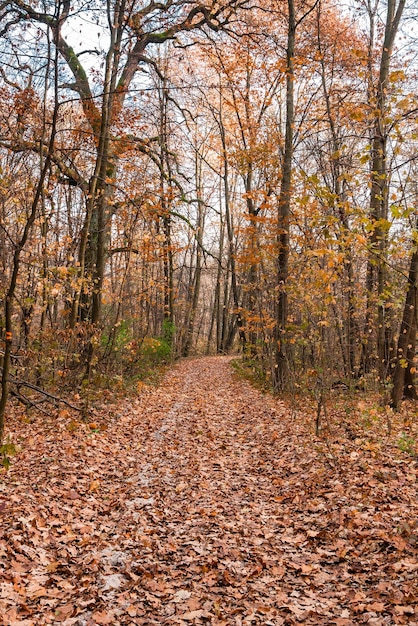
229	177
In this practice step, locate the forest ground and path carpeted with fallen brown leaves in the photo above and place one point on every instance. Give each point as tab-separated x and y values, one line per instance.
203	501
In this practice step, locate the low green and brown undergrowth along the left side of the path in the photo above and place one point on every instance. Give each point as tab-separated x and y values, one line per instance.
80	368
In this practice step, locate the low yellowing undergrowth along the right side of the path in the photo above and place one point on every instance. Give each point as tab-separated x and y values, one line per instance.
339	414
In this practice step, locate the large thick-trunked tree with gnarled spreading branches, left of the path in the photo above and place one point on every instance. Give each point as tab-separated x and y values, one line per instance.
127	30
